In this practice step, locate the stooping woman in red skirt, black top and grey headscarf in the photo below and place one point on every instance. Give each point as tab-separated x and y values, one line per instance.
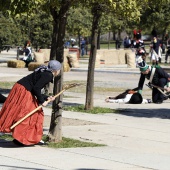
24	97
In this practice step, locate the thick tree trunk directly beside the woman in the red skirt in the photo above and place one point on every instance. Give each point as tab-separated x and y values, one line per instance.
57	51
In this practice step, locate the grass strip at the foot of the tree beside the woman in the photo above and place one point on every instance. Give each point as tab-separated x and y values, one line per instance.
65	143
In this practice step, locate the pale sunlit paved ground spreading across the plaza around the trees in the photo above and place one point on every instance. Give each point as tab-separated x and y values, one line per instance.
138	138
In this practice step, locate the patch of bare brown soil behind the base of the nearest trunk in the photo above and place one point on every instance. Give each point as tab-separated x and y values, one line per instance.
70	122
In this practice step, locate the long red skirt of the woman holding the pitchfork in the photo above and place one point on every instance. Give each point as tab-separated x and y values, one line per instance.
18	104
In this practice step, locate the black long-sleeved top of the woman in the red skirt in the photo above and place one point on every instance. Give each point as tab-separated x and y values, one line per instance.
35	82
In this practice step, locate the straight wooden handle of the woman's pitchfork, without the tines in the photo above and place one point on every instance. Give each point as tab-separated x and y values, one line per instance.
32	112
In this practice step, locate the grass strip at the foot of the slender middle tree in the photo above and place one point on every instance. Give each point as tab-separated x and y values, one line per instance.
95	110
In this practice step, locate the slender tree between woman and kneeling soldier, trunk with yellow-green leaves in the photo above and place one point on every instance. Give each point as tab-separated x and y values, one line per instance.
120	8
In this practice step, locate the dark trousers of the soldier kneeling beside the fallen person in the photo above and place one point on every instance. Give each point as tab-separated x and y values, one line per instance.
157	96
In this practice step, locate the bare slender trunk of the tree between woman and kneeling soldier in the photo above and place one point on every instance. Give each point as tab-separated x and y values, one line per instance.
96	11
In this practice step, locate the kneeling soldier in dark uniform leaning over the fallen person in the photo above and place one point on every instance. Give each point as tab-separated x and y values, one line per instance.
156	76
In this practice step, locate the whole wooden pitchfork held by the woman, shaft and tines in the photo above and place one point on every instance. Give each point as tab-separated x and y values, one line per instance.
66	87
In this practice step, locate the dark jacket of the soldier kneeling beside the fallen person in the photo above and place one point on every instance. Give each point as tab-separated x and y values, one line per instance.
159	73
